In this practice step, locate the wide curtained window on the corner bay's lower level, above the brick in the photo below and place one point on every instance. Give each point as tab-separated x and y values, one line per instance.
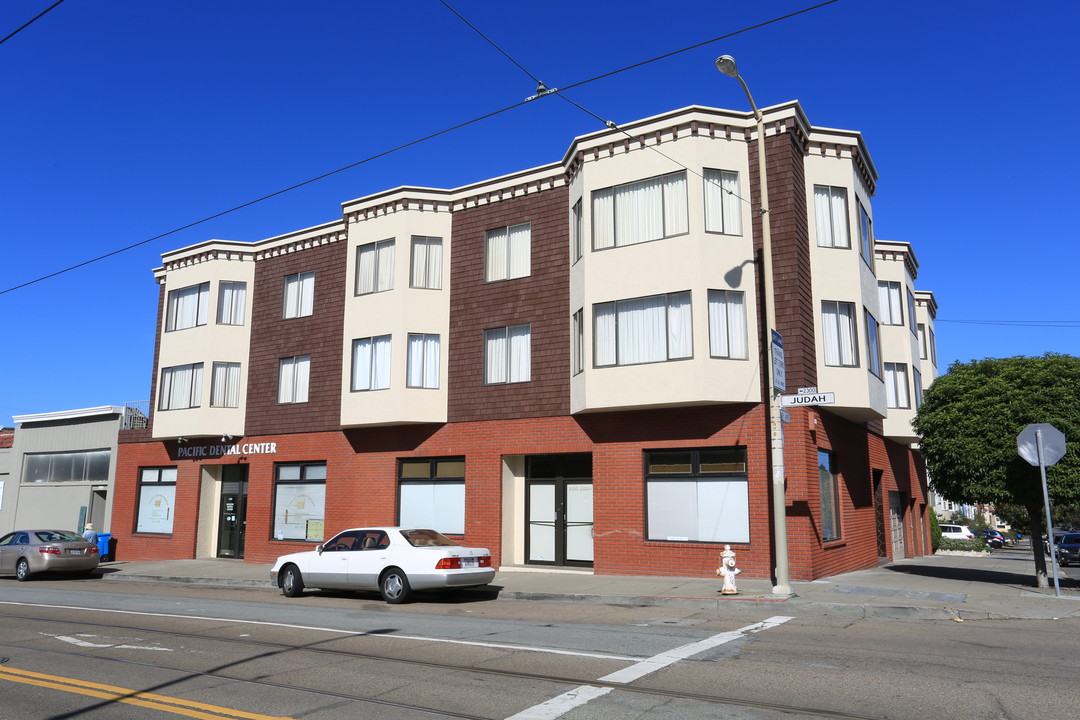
651	330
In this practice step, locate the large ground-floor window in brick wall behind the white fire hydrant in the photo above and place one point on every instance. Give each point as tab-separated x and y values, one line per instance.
697	496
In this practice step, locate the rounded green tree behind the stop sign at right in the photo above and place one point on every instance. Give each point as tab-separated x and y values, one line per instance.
969	422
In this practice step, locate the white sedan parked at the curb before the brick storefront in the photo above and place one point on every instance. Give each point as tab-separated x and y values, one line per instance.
394	561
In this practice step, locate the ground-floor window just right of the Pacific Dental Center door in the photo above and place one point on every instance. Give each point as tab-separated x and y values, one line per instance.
300	501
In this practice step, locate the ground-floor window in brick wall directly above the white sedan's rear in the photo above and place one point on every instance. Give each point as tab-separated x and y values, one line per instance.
433	495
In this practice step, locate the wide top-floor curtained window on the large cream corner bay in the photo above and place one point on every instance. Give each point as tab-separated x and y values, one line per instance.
641	212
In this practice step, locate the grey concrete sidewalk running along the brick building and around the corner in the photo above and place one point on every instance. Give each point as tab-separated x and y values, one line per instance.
940	588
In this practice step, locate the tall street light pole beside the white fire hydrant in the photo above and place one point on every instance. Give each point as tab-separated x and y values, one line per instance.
726	64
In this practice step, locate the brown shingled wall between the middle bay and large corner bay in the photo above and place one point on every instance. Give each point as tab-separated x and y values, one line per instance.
541	300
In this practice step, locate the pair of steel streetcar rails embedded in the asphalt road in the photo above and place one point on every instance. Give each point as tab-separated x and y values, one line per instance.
282	648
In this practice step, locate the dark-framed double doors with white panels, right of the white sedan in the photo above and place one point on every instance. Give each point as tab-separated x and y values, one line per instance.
559	506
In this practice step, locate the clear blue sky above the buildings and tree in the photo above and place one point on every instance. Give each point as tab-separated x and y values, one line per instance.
126	119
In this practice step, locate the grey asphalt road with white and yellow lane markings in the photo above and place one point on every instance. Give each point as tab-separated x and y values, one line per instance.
91	650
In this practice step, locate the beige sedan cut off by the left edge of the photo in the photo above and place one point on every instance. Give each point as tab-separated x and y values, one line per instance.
26	553
